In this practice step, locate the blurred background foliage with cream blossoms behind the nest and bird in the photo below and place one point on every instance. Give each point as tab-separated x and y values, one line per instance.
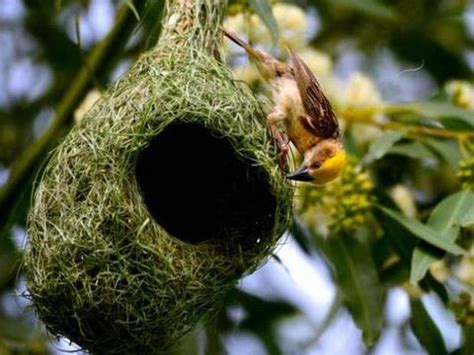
402	218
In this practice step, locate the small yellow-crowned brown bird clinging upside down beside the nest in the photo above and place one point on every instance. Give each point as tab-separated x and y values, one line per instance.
309	120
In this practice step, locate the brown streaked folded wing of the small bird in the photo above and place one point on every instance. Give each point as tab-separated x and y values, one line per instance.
320	115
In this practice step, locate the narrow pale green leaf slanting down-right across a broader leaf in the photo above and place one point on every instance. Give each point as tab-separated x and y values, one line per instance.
423	232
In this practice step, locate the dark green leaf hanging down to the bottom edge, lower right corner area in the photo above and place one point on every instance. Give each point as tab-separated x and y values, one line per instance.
425	329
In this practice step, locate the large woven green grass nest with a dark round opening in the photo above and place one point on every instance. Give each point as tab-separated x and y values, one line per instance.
159	201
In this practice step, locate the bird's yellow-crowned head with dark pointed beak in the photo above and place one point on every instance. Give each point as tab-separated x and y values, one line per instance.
322	164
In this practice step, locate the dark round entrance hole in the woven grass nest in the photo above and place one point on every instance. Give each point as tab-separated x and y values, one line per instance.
198	189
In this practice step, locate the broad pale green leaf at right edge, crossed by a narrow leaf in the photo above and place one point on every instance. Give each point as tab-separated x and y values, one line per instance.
445	219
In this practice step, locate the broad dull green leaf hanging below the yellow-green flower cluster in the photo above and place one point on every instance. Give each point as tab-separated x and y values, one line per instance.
357	278
